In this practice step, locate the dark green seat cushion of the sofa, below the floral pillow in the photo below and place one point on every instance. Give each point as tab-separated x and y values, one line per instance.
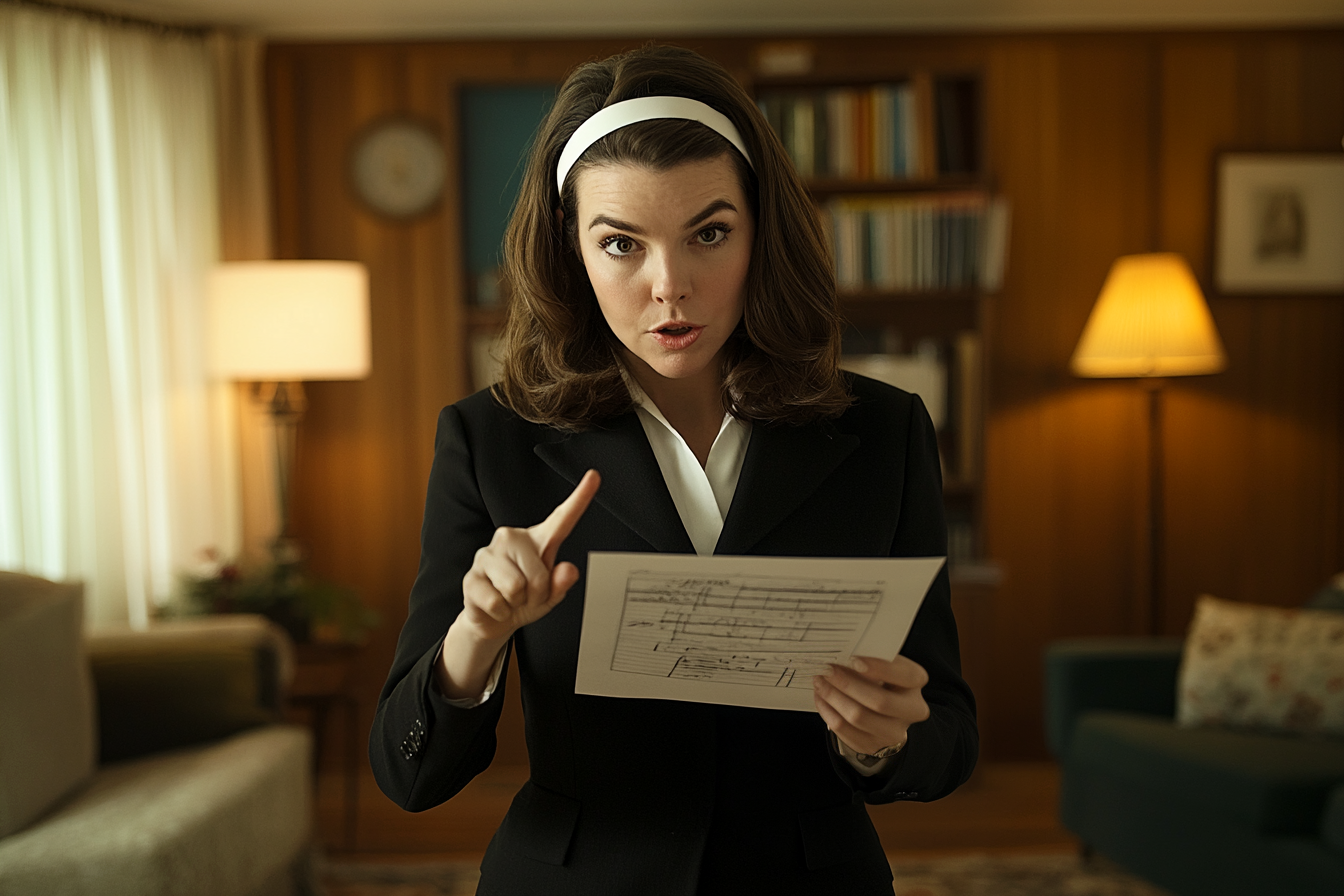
1267	782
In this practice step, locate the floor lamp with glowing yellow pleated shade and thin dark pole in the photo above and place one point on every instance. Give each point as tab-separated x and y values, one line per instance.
1151	322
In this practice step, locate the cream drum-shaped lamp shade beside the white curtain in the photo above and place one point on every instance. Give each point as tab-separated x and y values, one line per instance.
290	320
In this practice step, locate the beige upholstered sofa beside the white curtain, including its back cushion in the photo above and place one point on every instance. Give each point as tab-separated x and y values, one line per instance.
146	764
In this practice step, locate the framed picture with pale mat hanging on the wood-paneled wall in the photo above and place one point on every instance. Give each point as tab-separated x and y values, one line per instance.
1280	224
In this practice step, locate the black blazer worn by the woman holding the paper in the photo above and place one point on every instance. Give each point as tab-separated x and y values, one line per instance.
655	796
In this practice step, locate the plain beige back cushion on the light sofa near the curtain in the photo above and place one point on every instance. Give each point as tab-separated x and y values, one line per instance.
48	731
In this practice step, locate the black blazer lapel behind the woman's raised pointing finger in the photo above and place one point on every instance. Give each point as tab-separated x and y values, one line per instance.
632	484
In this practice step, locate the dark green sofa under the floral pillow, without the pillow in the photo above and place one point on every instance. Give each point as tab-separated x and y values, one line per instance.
1197	811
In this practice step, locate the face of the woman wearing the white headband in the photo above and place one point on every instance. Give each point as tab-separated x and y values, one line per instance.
667	255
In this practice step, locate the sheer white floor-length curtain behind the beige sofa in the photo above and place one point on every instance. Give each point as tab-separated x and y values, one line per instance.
115	452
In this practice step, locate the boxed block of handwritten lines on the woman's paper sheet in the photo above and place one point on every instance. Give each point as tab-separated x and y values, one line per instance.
767	632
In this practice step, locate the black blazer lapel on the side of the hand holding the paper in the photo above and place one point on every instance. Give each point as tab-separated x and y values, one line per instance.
784	465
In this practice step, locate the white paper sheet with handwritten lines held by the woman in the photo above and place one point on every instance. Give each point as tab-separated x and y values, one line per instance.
747	632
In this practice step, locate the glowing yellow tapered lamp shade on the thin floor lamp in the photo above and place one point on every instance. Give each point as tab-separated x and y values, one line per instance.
1150	320
